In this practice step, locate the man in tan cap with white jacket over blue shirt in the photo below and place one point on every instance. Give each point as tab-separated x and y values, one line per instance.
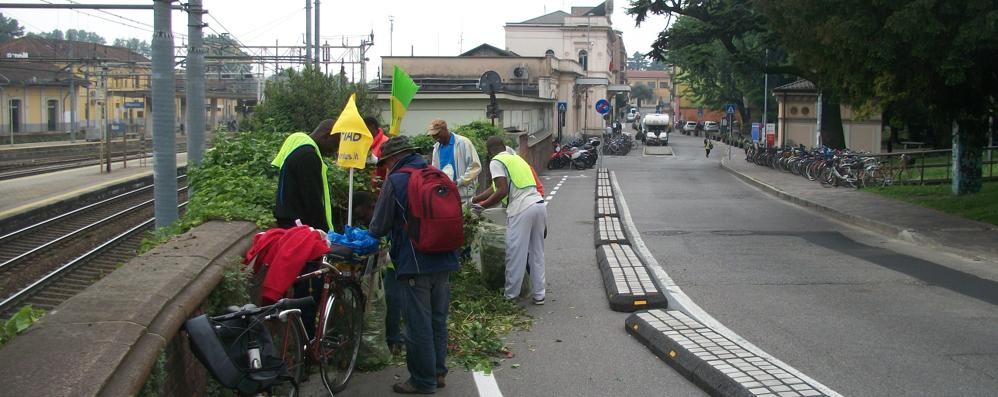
456	156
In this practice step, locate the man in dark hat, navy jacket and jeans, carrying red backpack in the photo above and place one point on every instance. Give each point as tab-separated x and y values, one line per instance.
423	277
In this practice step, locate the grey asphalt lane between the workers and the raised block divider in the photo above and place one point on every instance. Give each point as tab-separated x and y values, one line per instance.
577	345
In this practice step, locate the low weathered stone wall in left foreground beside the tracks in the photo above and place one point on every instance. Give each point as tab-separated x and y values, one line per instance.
106	340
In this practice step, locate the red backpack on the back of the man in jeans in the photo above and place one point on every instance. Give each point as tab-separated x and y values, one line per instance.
435	221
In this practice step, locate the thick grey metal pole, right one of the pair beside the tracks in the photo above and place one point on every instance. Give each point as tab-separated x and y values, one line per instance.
195	83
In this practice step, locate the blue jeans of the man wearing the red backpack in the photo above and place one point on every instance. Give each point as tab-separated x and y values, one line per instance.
425	302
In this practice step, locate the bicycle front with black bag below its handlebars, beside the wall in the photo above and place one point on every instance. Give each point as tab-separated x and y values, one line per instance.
238	350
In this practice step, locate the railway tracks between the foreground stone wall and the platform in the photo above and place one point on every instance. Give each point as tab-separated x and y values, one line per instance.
49	262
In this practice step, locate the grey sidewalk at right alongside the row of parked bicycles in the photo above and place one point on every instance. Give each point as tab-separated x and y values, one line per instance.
916	224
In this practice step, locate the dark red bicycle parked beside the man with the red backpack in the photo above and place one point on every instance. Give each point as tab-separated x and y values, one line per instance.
339	323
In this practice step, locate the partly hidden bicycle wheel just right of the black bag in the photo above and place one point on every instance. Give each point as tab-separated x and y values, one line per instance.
289	343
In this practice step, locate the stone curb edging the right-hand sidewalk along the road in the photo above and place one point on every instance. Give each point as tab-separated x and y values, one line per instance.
885	229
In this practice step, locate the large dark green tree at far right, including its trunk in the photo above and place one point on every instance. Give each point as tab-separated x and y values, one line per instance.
934	57
